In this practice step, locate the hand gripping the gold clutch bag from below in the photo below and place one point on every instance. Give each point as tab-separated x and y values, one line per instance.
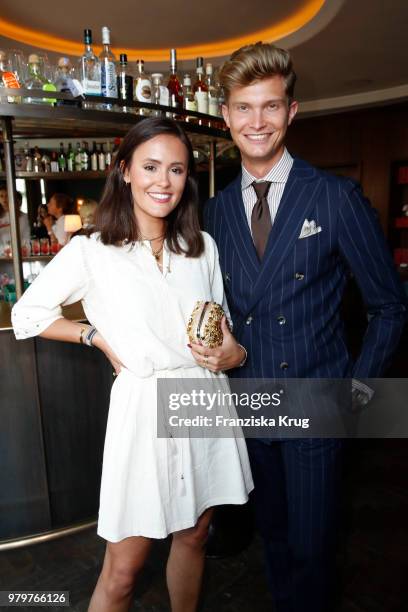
229	355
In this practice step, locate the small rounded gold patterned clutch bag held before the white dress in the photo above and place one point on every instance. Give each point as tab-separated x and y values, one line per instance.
205	324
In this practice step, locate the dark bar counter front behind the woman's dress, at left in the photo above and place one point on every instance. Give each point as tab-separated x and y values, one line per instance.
54	400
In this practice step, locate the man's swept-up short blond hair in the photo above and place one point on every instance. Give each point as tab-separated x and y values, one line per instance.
254	63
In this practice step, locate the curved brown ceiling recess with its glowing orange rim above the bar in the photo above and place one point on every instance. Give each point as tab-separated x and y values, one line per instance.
214	29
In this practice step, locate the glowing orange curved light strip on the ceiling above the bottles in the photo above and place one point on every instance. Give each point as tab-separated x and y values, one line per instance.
274	32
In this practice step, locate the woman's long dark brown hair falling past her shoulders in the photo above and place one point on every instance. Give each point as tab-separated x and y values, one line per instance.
115	218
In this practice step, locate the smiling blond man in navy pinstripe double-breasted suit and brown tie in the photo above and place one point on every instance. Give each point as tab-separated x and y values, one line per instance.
288	235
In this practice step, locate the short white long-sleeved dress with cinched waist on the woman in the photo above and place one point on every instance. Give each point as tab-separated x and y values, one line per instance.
150	486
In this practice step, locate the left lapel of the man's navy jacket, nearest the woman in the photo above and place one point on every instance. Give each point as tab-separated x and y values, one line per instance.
236	221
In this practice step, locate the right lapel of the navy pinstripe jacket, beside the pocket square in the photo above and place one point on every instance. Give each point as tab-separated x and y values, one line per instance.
298	198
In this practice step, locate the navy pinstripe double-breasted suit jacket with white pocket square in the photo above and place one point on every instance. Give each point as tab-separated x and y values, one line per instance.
286	309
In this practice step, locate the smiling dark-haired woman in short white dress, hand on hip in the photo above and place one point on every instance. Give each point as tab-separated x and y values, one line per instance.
139	276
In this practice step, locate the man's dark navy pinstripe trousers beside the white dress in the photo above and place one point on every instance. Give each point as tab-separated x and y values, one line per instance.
296	501
